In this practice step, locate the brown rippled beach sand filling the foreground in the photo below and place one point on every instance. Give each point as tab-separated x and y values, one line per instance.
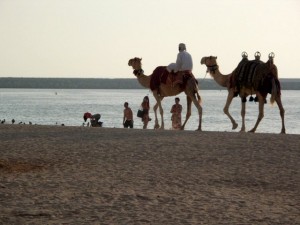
81	175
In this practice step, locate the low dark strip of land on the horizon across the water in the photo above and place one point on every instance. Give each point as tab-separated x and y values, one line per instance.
90	83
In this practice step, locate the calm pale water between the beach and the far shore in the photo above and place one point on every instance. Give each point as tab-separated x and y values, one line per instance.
51	107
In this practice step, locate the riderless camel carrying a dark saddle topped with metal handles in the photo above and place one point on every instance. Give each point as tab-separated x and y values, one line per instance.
262	80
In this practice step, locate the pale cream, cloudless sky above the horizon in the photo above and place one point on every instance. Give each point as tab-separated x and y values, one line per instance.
96	38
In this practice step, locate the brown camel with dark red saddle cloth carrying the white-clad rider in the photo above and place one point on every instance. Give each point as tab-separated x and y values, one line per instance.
164	84
